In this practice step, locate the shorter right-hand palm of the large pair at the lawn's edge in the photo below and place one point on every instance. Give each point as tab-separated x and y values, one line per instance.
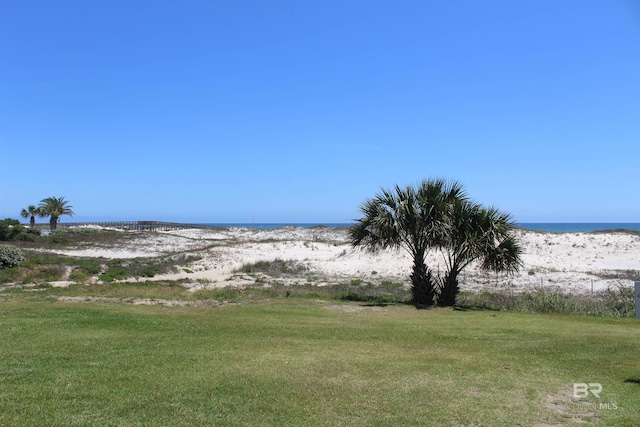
477	234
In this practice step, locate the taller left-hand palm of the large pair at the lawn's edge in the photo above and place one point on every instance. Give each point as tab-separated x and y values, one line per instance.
413	218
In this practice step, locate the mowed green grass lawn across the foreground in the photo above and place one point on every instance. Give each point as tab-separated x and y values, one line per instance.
305	362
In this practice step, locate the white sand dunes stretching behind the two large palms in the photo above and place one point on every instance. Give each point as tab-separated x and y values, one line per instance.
576	262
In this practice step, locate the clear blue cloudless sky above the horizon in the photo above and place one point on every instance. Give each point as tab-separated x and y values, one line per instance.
298	110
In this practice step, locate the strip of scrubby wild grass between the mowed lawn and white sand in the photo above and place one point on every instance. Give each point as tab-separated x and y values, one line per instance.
612	302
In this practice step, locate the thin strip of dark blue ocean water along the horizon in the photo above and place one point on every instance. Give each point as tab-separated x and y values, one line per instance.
552	227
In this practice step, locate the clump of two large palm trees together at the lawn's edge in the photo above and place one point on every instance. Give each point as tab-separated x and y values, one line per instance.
438	215
